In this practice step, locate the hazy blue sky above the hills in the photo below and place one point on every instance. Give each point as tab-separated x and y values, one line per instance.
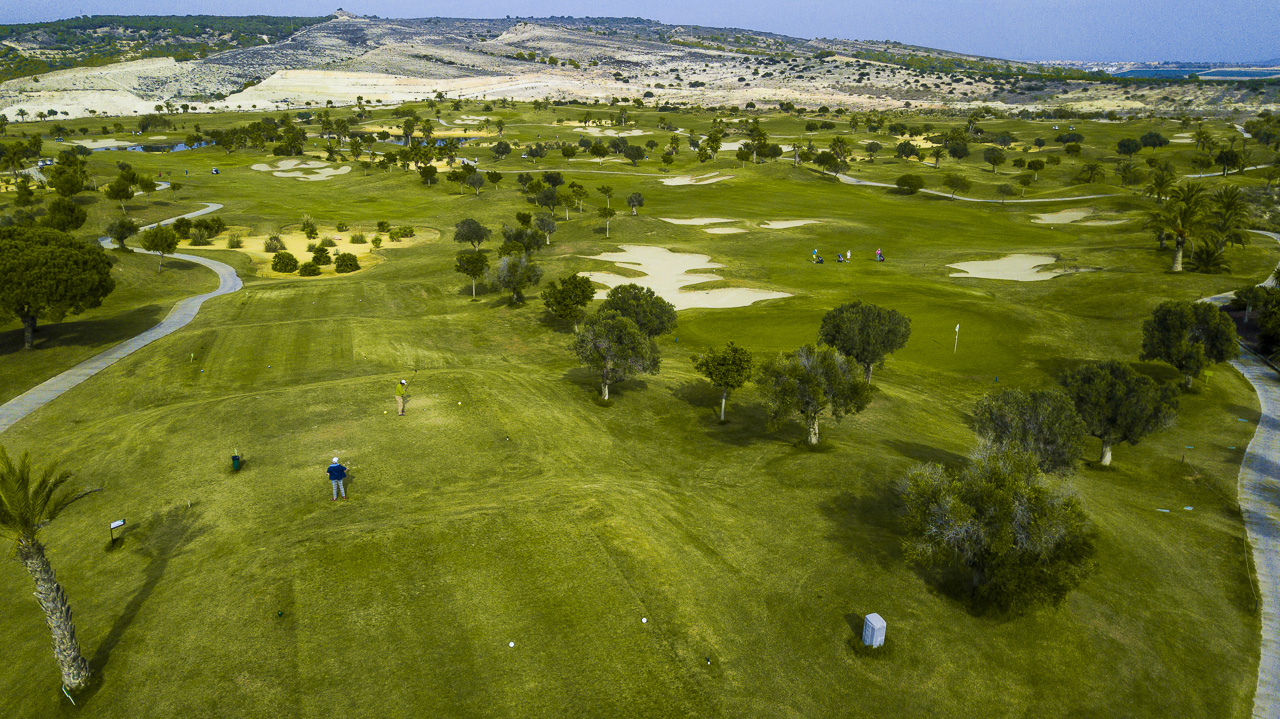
1026	30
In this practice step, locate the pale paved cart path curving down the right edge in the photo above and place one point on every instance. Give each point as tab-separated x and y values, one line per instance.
1260	505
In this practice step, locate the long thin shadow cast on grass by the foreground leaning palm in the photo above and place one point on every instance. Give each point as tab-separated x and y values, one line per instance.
163	538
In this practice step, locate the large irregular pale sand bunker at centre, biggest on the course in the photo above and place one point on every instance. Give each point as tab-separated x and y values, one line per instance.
668	273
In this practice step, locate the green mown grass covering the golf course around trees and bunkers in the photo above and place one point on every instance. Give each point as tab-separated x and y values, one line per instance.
513	506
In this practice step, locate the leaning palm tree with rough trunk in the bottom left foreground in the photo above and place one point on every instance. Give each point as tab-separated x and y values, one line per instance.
28	507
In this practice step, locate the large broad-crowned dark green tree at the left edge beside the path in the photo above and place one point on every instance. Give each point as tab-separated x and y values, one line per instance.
48	274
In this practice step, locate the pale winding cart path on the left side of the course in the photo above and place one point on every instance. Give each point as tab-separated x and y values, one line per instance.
180	315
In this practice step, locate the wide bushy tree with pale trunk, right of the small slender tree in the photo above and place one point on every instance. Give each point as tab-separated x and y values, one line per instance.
812	382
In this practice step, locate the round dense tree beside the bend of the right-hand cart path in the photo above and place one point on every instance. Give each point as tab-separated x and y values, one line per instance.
1190	336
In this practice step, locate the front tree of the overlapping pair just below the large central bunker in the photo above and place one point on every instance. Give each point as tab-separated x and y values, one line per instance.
616	349
